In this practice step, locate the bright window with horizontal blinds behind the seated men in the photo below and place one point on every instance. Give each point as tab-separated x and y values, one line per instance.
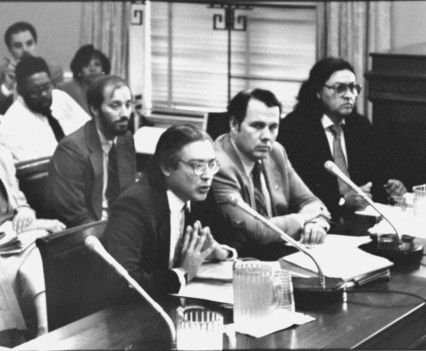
190	58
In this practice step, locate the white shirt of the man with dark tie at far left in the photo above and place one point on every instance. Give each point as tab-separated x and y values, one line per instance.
28	134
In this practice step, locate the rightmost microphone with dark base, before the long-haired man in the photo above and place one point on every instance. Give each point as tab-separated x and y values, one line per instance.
408	252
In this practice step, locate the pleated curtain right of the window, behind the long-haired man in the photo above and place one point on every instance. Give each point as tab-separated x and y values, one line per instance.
353	30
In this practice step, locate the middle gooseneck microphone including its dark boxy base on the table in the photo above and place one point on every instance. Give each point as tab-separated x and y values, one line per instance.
303	287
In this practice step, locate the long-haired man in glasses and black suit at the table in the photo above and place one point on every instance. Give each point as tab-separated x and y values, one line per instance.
325	125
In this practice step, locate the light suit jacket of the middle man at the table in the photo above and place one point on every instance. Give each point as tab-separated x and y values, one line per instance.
288	192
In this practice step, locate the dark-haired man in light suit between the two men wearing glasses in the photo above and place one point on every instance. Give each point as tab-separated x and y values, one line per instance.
257	170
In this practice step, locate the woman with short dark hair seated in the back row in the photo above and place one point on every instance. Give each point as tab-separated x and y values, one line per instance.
87	64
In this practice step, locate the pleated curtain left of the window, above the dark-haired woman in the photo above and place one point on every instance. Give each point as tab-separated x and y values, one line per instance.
106	26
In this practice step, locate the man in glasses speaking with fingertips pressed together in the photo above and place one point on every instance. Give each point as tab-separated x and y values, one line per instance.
152	230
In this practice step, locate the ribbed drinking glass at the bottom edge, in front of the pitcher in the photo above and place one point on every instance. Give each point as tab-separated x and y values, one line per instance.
199	329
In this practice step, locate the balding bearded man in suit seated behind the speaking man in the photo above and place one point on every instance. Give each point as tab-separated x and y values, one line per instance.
91	166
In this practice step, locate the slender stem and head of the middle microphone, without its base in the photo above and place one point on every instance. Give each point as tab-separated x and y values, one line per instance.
236	201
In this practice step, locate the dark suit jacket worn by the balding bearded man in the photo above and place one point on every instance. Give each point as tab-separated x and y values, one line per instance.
74	193
